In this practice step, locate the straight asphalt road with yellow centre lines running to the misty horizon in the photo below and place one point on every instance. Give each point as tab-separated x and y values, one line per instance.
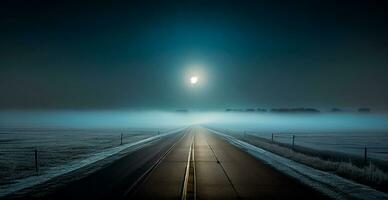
215	169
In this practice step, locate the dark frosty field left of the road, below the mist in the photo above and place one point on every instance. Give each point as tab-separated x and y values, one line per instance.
26	154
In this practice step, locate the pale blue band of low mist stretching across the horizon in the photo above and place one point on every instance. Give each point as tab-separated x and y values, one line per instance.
315	122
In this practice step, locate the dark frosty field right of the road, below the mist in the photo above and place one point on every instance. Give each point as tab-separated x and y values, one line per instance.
364	145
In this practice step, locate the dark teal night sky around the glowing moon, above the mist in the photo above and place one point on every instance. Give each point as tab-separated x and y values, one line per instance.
123	54
